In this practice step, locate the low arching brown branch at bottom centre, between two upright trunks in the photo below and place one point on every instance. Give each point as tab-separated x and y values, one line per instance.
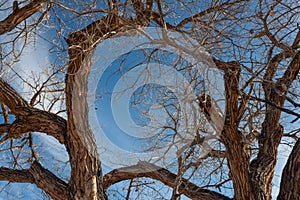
144	169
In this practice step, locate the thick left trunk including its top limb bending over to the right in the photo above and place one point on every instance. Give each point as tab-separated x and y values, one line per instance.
84	158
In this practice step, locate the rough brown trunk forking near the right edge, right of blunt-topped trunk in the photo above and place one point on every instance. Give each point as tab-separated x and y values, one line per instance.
262	168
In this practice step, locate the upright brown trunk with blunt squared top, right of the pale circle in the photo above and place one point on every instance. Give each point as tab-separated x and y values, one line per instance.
231	137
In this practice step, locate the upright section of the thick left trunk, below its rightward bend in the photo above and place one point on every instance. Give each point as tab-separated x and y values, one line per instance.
86	174
